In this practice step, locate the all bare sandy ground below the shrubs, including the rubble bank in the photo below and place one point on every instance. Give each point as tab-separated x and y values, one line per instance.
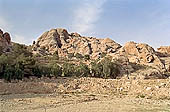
85	95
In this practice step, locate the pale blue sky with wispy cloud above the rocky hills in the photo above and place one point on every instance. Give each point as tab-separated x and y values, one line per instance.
142	21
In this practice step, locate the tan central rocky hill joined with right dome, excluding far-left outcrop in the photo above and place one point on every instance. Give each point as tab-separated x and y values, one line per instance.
64	44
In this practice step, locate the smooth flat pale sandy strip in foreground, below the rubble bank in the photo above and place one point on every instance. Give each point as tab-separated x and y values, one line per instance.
80	103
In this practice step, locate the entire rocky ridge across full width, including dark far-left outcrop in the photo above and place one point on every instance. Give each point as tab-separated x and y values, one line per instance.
73	46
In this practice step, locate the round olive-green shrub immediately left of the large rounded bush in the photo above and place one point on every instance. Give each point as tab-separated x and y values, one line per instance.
82	70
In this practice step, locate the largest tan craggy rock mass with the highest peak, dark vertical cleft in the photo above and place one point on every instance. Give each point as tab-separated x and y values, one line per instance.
59	40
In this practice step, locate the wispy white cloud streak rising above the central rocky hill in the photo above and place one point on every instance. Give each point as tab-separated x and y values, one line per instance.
87	15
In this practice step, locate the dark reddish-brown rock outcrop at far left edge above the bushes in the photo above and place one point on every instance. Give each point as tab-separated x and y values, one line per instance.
5	41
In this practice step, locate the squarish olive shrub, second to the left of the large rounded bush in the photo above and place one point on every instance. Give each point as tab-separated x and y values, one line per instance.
68	70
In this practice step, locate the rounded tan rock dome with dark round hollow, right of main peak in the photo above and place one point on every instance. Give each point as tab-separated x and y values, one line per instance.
142	54
